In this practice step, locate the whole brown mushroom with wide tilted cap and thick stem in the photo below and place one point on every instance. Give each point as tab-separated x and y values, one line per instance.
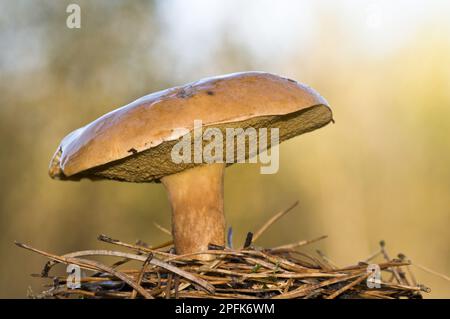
133	143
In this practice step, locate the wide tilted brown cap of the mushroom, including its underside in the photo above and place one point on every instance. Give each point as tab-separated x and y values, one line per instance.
133	143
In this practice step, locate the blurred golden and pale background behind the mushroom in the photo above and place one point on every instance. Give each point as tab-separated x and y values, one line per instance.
381	172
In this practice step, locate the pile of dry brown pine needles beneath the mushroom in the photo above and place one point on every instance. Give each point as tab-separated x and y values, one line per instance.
249	272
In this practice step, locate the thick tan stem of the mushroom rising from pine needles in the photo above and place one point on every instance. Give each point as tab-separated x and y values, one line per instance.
196	198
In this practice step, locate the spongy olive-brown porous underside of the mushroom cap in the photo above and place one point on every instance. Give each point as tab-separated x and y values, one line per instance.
153	164
